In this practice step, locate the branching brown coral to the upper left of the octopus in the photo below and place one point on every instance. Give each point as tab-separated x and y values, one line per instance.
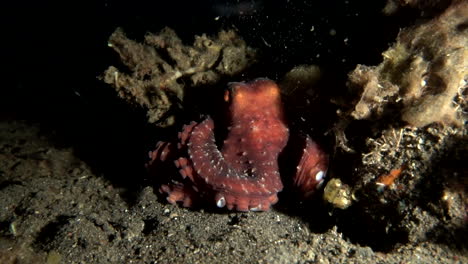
156	67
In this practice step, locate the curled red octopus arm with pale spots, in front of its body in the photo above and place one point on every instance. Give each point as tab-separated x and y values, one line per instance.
231	187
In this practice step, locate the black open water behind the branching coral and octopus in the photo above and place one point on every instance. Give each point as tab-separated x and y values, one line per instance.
52	53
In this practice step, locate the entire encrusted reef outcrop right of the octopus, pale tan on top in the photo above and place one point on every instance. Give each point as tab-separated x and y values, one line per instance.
406	129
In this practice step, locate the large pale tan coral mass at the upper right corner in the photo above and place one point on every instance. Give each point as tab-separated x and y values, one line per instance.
421	75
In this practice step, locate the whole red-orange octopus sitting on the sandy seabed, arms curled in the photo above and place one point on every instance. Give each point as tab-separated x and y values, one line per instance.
241	172
